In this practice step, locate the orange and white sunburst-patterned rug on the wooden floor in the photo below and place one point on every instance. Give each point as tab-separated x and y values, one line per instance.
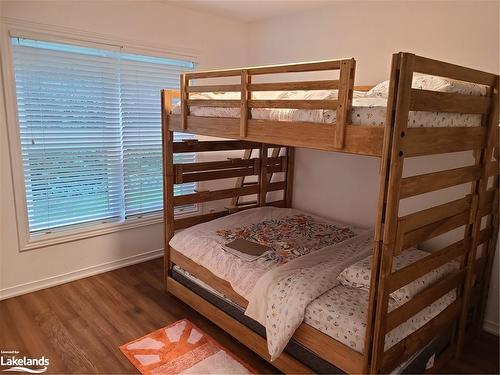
182	348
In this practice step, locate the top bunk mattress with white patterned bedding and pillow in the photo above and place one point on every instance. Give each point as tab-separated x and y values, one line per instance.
368	108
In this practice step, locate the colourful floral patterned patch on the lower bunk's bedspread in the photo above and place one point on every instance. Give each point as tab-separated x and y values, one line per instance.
291	236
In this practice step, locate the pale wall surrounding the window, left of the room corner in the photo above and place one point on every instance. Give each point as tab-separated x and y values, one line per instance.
146	22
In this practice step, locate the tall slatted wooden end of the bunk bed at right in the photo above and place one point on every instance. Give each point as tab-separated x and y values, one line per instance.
395	233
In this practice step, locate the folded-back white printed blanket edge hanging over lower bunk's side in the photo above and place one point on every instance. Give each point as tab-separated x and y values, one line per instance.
280	297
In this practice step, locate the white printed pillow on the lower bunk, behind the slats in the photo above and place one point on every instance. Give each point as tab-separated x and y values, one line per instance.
358	274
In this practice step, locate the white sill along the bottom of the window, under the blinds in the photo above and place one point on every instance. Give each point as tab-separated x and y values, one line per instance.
80	232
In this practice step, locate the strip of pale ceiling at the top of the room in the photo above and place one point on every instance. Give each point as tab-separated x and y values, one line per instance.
249	10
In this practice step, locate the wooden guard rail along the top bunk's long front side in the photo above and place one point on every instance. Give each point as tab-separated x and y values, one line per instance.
246	88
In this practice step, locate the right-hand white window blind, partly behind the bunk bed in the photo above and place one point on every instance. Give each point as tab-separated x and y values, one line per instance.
141	80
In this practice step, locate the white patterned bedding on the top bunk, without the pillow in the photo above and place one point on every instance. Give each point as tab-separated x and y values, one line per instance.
365	111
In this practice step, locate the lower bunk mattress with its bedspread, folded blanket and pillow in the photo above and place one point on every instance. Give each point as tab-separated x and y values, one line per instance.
317	272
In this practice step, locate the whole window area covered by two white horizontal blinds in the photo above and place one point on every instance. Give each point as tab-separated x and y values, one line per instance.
90	128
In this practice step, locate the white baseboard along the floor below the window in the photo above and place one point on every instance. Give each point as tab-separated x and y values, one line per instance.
48	282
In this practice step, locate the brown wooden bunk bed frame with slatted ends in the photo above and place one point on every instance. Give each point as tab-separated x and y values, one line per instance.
394	143
